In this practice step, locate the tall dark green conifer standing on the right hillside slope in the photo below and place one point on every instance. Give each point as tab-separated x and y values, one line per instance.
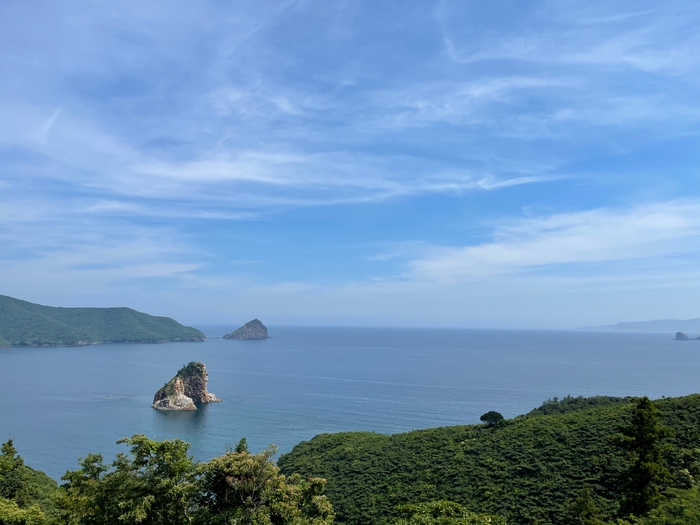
647	476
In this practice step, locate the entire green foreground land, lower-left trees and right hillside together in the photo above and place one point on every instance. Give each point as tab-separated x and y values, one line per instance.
591	461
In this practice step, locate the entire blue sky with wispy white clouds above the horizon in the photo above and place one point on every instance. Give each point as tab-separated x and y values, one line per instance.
471	164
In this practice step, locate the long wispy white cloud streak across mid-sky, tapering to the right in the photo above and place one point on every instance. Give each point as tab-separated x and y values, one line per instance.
92	161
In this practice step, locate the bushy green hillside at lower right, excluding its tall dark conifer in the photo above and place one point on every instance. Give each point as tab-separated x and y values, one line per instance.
526	468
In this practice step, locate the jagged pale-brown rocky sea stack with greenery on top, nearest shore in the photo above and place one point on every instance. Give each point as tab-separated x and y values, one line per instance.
186	390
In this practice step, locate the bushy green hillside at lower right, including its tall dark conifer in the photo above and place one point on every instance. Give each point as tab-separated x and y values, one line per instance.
570	461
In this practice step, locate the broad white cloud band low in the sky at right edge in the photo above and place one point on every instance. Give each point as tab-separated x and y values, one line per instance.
601	235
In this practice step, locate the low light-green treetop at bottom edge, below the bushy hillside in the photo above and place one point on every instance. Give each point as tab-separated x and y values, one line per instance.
443	513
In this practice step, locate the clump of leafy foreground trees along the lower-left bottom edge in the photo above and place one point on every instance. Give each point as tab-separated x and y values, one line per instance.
157	483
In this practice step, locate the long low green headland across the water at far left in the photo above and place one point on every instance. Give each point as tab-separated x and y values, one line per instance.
27	324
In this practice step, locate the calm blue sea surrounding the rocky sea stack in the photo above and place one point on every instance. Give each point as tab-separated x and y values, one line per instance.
60	403
